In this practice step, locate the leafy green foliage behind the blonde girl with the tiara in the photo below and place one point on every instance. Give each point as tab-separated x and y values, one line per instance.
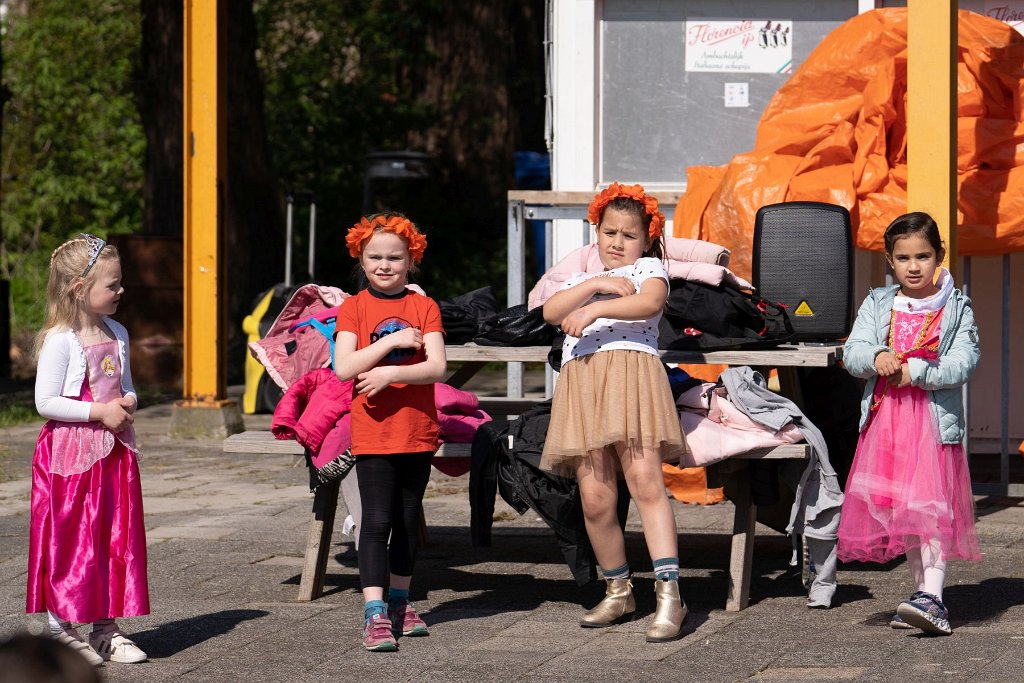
73	142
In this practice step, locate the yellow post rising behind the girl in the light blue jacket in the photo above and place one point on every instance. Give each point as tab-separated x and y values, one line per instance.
932	116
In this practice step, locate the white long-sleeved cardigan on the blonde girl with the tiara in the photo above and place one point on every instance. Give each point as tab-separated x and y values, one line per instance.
62	369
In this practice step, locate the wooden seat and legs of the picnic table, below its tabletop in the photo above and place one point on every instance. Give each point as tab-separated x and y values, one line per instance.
326	506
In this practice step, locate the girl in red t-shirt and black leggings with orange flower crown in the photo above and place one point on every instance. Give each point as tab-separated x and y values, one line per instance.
391	343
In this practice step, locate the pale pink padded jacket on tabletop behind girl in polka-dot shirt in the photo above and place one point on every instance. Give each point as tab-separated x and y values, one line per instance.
689	260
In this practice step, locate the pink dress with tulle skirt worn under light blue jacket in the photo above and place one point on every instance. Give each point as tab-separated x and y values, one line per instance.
906	488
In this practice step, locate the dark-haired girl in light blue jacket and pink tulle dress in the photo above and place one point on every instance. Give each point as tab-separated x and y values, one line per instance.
910	490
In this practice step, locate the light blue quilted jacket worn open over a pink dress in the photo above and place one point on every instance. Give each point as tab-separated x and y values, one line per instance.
959	355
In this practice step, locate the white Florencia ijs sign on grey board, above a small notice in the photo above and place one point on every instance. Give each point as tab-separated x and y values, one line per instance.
751	47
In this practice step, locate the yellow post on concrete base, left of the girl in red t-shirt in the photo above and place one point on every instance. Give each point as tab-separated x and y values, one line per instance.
205	182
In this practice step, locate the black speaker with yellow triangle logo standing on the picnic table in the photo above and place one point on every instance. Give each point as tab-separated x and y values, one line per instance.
803	258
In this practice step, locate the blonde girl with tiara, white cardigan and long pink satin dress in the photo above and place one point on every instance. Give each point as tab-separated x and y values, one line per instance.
88	536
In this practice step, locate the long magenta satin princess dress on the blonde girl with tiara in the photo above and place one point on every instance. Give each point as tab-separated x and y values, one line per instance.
88	536
